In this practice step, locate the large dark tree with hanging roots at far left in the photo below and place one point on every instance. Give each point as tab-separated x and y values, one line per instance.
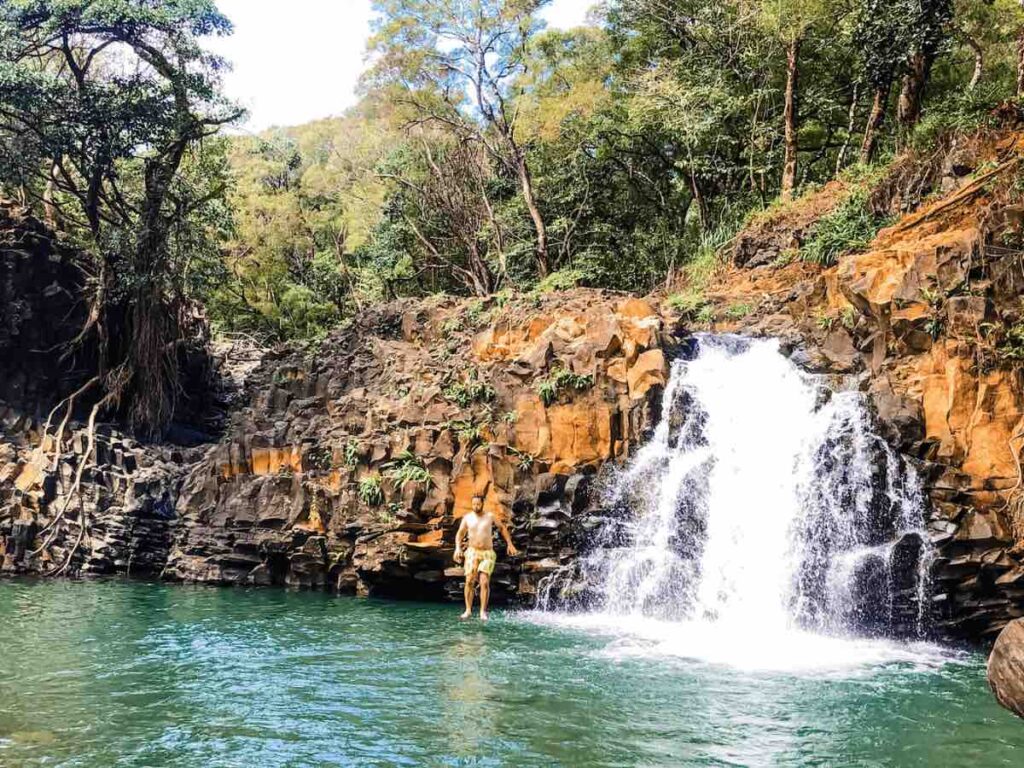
104	102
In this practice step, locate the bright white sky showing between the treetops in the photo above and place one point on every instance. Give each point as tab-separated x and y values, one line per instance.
296	66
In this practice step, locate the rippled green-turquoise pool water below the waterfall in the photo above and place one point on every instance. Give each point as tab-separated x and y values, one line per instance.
129	674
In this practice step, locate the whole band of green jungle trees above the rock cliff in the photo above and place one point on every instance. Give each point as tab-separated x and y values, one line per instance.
487	152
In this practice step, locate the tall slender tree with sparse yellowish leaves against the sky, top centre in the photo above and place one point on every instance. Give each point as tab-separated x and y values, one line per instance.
456	64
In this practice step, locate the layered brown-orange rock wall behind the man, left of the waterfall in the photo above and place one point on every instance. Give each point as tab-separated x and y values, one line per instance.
353	464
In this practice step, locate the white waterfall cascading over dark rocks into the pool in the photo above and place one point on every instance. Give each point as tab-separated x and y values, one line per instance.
763	524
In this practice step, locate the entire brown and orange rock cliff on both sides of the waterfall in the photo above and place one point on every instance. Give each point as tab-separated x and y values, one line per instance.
346	465
